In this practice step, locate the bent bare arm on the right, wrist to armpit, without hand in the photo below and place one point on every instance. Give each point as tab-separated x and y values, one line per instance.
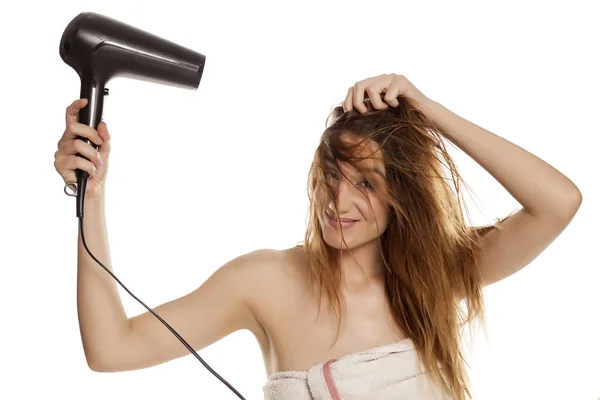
550	200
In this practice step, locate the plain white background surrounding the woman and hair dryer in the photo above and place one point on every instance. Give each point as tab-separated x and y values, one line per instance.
199	177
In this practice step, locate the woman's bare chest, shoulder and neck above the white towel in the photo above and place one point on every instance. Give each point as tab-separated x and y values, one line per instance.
293	338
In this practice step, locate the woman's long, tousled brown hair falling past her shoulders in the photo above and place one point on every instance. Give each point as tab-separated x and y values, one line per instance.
428	249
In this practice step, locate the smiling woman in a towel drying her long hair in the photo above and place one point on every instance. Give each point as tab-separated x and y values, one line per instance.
360	305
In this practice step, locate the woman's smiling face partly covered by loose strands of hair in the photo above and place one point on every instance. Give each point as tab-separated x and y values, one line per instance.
354	194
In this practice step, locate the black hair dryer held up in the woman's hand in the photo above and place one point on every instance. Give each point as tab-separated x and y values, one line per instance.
100	48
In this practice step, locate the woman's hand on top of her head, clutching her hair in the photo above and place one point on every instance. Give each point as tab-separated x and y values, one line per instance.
392	85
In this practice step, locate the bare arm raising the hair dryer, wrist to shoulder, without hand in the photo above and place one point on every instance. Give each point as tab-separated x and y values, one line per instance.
112	342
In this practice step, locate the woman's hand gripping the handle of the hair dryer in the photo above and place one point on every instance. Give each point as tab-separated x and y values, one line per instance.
66	160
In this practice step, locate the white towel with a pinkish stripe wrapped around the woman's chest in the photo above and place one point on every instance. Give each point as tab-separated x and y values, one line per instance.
383	373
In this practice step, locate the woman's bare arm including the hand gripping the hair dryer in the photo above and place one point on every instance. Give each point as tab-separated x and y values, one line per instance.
224	303
